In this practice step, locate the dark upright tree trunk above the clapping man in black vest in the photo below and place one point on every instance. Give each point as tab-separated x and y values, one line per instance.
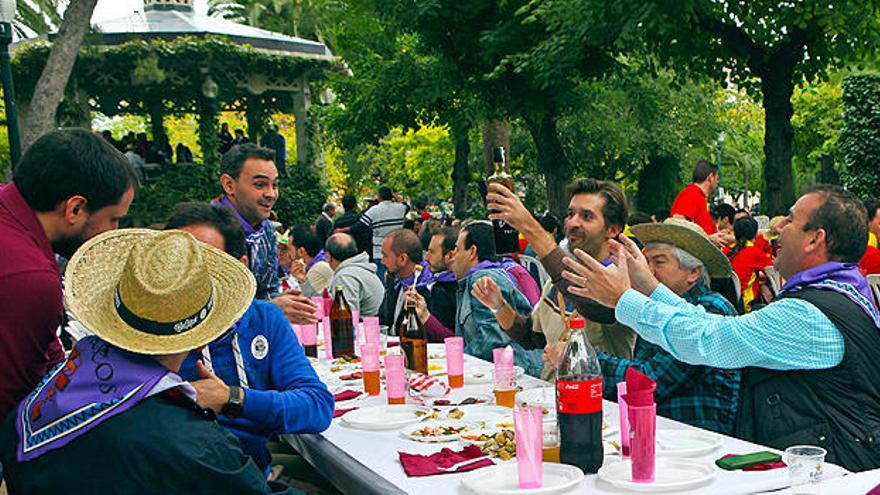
777	86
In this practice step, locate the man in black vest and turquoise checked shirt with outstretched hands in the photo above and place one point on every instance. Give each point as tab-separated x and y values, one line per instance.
810	370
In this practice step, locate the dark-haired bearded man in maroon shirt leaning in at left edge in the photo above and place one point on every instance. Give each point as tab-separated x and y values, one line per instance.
69	186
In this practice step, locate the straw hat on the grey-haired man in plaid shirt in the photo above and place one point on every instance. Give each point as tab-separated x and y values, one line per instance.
691	238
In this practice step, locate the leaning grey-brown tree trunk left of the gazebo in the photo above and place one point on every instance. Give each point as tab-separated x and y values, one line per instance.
50	86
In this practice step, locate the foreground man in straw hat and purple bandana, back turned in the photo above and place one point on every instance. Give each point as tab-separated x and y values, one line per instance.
149	297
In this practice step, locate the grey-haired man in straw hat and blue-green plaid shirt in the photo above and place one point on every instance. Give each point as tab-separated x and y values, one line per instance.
683	258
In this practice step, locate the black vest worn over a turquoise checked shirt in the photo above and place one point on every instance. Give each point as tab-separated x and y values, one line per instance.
837	408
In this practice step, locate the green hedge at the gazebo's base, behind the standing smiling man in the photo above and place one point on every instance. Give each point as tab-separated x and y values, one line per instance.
301	196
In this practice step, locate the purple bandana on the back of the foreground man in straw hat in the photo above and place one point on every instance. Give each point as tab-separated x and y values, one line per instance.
97	382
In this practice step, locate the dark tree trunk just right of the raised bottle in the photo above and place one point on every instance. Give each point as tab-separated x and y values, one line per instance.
555	166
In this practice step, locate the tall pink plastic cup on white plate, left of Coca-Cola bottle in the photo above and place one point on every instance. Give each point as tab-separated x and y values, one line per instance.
528	425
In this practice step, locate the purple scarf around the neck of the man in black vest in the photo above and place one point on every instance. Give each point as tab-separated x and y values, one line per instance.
843	278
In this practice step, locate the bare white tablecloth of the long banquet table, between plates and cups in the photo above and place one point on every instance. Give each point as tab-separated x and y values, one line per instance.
361	462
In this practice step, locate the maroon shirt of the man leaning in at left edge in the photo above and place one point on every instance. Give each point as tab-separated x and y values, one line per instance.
30	300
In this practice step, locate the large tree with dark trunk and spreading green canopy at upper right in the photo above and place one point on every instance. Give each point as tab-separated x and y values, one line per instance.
765	46
